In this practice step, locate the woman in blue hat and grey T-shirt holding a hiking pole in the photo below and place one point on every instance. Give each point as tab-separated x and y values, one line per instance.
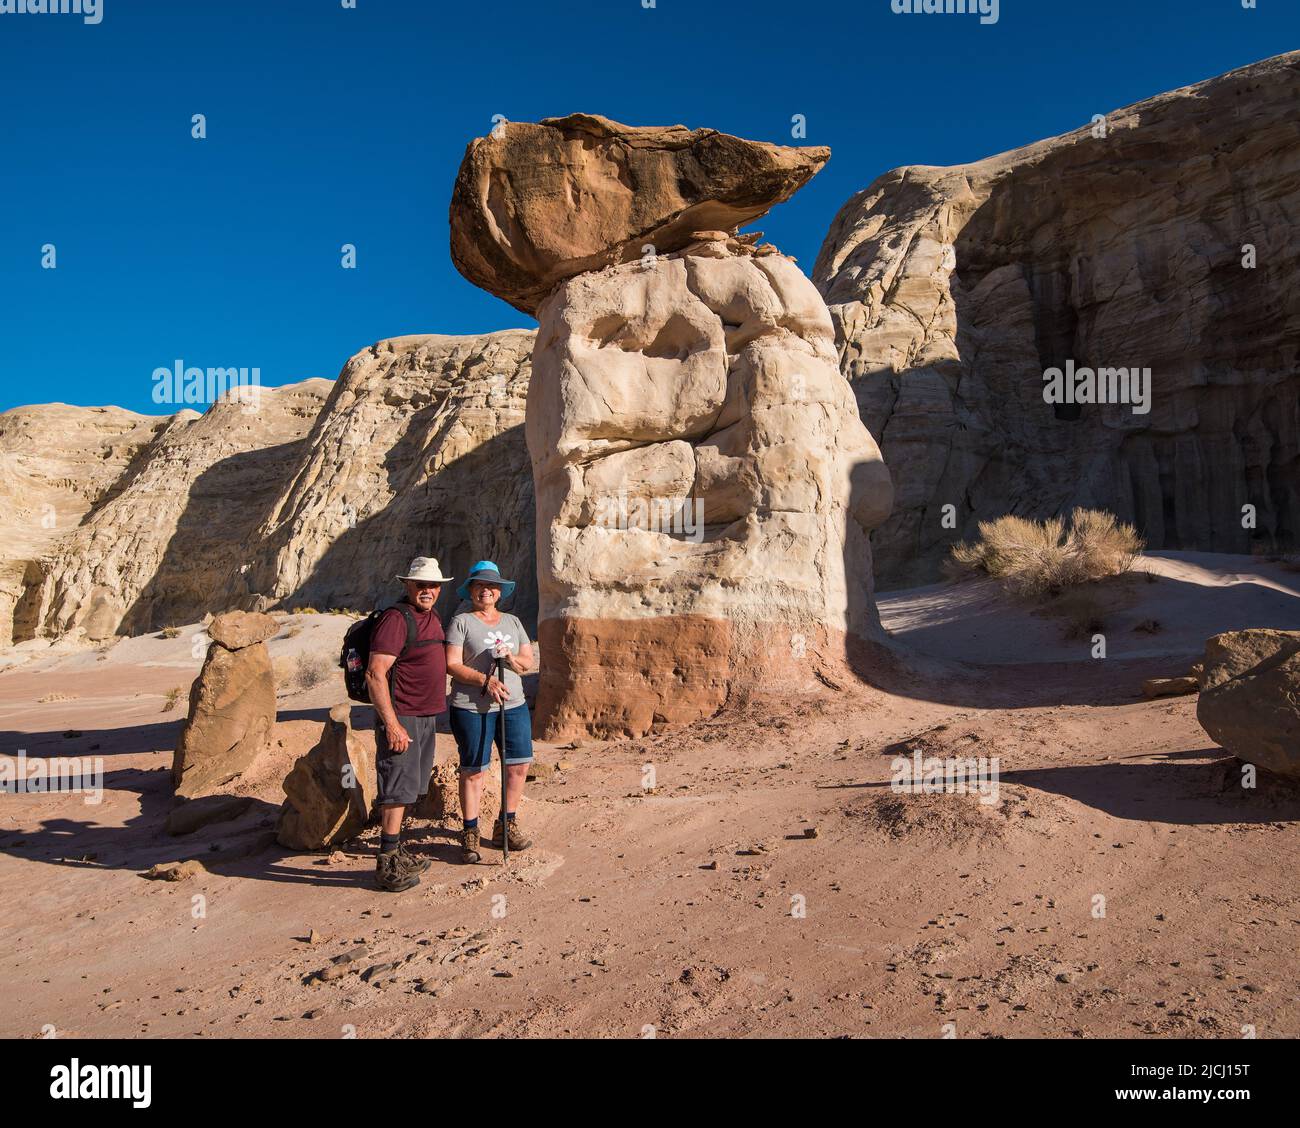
474	639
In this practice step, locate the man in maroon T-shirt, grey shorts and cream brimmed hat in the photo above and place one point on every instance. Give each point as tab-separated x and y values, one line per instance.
408	679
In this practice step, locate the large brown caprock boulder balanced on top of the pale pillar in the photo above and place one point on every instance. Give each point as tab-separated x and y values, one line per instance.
539	203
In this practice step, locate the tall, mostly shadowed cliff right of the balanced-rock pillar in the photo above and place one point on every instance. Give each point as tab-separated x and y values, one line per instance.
955	289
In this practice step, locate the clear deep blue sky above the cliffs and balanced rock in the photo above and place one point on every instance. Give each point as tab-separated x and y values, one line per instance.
331	127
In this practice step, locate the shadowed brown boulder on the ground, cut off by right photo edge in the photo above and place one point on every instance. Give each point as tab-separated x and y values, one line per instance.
1250	700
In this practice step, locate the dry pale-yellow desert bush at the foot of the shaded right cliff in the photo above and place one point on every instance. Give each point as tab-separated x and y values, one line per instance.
1046	558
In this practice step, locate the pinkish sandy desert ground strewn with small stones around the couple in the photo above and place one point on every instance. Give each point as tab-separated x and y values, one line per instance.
1121	882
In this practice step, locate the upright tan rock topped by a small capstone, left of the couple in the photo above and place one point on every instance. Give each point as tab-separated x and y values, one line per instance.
232	708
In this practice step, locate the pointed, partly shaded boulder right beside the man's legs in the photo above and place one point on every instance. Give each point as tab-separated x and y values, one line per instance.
331	789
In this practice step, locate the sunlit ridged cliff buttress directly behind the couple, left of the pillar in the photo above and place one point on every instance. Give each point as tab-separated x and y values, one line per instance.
418	452
